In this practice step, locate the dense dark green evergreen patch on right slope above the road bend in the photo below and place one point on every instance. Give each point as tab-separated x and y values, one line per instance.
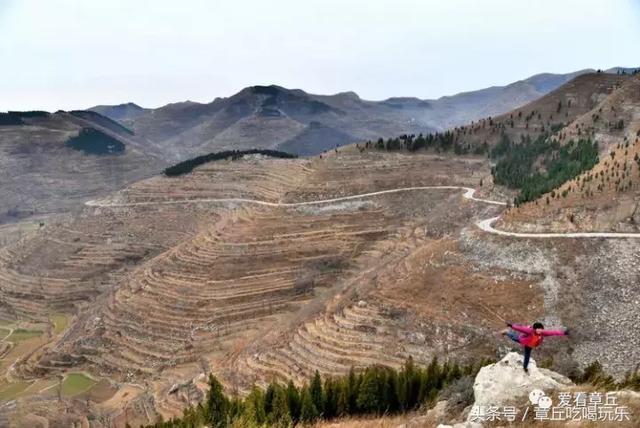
538	166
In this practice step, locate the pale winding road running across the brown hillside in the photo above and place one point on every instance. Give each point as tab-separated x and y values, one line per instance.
485	225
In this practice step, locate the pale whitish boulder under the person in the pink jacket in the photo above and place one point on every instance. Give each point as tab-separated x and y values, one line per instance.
505	381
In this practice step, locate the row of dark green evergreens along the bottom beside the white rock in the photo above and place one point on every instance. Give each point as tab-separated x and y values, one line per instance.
376	390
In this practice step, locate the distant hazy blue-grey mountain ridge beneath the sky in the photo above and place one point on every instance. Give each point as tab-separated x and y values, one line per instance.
270	115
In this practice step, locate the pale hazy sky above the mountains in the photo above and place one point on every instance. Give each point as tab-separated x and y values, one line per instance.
64	54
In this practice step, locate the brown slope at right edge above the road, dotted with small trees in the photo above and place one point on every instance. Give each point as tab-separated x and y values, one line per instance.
606	198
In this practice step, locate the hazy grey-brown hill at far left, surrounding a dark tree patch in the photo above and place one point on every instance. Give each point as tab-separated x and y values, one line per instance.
41	175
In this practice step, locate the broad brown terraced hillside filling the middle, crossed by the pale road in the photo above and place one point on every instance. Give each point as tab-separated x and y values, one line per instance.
253	270
